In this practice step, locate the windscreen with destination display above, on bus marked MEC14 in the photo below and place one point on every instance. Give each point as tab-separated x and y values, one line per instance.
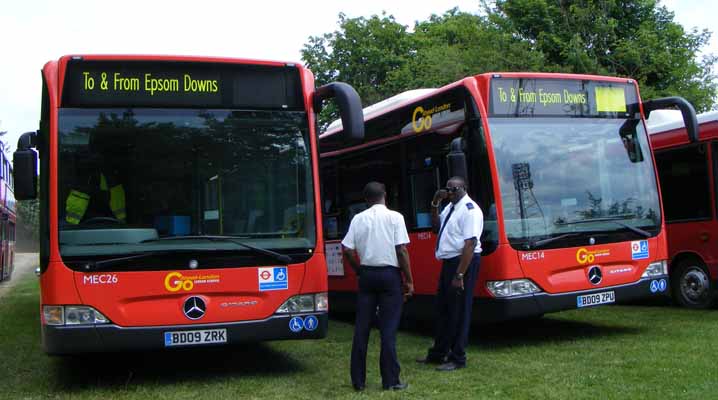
573	158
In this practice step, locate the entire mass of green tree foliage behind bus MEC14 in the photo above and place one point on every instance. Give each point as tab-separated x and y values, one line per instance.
630	38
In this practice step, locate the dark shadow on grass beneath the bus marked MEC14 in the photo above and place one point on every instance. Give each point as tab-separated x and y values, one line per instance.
524	332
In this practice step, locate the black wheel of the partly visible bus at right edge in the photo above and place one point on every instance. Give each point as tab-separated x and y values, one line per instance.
691	285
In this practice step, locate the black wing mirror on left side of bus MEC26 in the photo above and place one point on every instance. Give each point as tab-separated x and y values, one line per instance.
24	161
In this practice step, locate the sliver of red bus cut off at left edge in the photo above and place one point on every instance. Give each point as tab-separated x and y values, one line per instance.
7	219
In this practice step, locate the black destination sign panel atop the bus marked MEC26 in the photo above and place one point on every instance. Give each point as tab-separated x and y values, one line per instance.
180	84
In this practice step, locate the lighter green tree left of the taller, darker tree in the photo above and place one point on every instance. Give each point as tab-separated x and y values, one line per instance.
380	57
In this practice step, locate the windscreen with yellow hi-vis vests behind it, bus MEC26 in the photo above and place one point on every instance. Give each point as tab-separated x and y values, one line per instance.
129	178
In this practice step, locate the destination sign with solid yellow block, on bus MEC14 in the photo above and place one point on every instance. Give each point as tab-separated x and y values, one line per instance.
561	97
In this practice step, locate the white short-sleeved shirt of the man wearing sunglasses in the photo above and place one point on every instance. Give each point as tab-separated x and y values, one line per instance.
466	222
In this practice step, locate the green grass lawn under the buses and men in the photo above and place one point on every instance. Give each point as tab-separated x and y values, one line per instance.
620	352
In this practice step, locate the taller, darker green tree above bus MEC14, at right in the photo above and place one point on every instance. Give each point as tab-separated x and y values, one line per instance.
631	38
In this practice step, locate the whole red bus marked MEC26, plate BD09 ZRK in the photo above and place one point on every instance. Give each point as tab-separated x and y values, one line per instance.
178	201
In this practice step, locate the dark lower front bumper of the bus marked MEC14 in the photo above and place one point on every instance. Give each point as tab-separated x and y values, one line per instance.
498	309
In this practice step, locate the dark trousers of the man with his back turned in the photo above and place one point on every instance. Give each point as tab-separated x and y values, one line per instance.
377	287
